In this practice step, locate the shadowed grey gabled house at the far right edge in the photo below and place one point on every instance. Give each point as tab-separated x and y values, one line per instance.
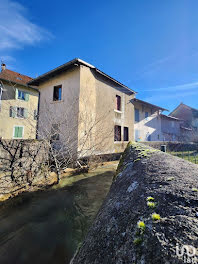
189	126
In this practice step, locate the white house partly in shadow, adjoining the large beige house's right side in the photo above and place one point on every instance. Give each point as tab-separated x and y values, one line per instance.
147	122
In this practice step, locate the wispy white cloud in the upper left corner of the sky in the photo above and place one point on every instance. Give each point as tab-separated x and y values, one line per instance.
16	30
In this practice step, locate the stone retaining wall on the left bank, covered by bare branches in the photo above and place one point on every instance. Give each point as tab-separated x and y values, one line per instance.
24	164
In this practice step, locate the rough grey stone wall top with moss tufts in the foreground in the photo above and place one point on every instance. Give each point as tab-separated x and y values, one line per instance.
118	234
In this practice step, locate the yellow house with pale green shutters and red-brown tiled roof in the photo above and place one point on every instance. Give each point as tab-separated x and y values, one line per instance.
18	106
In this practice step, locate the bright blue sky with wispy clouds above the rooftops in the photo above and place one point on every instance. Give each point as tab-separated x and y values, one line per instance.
151	46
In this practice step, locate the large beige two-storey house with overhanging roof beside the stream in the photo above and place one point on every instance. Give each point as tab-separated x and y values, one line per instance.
84	107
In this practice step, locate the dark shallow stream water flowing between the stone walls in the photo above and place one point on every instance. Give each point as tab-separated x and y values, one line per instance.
47	227
